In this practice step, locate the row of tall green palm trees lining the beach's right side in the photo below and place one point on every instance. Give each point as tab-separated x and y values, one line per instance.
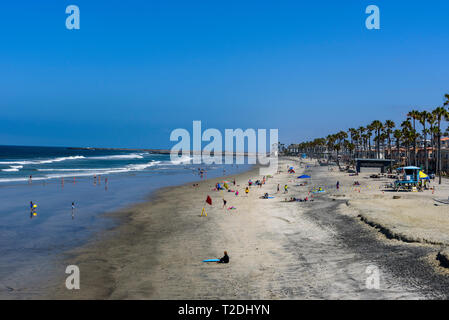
357	142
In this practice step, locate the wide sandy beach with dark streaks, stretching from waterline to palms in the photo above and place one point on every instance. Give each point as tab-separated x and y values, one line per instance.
278	250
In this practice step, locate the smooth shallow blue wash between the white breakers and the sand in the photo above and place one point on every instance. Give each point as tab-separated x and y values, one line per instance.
30	264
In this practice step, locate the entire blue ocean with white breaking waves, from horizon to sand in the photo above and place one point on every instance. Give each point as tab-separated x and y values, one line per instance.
97	181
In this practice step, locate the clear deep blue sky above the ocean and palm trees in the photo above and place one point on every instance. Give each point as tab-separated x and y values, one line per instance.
136	70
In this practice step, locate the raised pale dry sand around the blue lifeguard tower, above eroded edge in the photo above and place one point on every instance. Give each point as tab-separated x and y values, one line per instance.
414	217
